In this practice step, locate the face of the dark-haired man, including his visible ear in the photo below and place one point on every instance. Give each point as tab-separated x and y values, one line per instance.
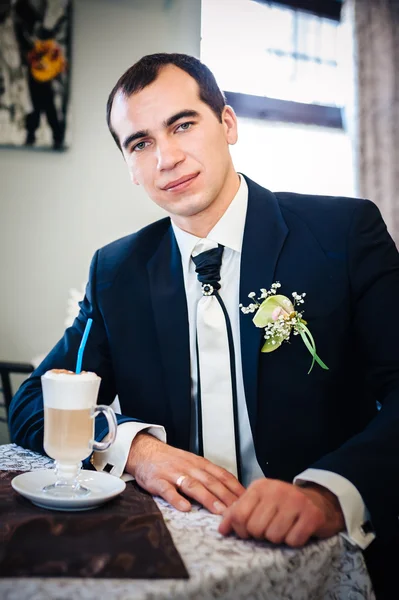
174	145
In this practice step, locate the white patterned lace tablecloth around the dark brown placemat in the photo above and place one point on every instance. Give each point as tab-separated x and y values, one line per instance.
223	568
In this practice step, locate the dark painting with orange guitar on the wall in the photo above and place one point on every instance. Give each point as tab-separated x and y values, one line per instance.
35	70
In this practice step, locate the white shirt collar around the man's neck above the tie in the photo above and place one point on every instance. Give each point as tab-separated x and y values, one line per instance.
228	231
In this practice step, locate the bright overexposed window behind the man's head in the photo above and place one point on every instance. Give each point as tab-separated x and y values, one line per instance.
279	70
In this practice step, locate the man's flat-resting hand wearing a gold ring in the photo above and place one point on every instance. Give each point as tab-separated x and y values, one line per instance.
157	467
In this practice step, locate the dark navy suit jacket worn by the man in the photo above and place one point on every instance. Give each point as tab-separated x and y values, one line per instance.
338	251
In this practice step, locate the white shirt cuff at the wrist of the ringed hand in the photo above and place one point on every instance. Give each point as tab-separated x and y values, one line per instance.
115	458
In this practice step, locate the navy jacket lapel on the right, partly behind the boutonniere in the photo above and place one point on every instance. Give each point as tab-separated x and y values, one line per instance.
264	236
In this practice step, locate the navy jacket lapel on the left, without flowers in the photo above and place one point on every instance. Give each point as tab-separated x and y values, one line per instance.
171	321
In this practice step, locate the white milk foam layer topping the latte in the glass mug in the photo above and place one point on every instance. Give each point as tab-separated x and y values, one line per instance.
66	390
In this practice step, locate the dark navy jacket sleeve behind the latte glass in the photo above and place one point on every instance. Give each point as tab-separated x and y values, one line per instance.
26	410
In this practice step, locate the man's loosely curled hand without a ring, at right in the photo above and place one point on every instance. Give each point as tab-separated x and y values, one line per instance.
284	513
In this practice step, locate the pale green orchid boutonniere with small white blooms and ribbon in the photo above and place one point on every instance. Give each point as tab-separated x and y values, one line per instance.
279	317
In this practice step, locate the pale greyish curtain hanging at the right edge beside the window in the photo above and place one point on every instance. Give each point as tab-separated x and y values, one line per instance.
374	115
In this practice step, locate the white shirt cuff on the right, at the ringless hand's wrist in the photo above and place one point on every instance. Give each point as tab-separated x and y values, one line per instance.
354	510
